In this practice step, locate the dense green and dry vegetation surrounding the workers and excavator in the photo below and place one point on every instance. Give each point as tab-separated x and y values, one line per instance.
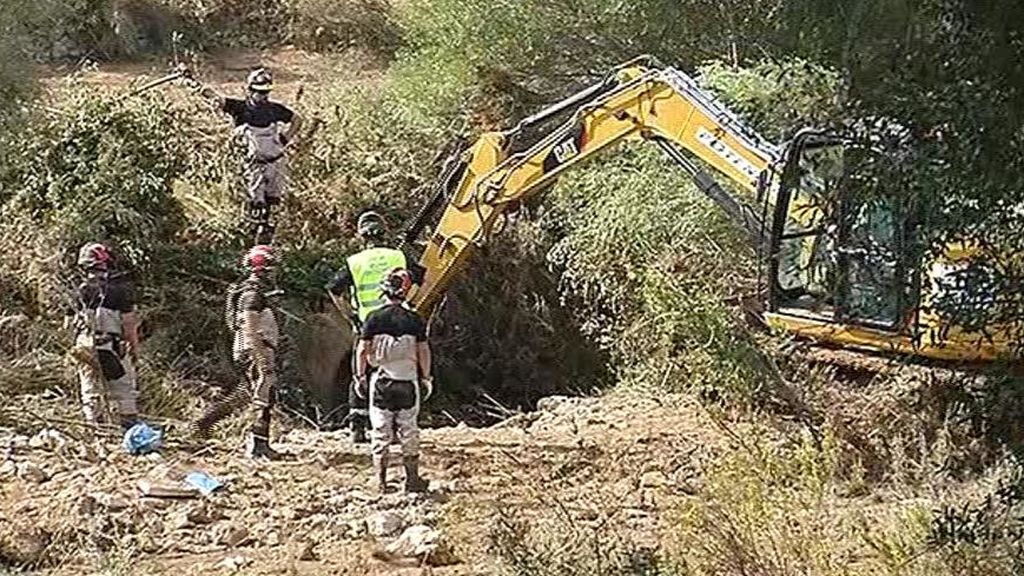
623	273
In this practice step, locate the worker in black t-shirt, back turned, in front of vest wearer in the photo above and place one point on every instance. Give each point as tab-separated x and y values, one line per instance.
395	341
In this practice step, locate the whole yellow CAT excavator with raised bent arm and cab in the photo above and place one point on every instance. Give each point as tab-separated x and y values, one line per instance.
835	267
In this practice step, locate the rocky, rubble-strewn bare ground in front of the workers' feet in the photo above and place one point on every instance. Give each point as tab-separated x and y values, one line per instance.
616	465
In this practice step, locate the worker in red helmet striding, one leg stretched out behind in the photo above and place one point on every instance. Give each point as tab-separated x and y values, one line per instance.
250	315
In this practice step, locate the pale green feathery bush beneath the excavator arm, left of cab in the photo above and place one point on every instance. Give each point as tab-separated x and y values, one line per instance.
643	262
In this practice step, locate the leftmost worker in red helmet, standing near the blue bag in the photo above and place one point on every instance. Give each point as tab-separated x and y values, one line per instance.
107	338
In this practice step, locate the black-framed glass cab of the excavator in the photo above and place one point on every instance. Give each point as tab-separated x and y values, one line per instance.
836	251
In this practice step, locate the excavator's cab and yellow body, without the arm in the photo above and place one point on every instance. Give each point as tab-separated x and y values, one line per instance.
844	263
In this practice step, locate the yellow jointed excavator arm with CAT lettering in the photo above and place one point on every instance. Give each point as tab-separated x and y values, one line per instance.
658	104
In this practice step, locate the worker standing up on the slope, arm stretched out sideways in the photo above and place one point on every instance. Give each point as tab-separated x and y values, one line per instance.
259	121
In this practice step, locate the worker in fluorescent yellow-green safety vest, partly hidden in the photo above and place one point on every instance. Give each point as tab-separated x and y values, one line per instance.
361	279
